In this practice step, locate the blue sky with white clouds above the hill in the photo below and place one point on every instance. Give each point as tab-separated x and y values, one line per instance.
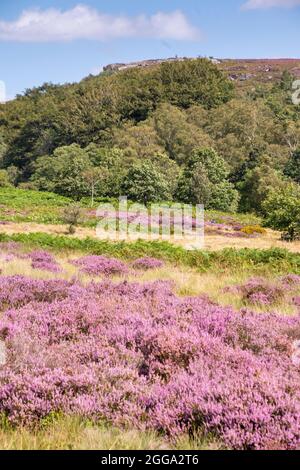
64	41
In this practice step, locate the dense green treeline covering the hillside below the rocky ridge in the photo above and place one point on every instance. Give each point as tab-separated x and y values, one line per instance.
177	131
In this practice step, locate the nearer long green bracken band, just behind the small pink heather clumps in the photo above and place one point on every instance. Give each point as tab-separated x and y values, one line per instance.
272	260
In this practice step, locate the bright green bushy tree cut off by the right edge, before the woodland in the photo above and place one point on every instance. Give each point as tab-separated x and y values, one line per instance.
282	209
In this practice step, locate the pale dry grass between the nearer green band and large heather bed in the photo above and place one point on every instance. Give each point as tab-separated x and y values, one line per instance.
187	281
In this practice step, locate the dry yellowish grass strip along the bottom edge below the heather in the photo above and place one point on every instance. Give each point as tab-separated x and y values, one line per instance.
73	433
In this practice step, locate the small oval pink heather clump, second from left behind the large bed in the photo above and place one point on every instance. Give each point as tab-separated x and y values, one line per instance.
97	265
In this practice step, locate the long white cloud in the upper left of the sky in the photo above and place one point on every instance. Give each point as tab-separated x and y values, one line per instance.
83	22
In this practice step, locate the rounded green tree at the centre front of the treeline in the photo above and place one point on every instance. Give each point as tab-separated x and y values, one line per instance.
144	183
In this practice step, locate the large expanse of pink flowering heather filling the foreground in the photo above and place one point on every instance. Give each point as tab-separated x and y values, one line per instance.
138	355
